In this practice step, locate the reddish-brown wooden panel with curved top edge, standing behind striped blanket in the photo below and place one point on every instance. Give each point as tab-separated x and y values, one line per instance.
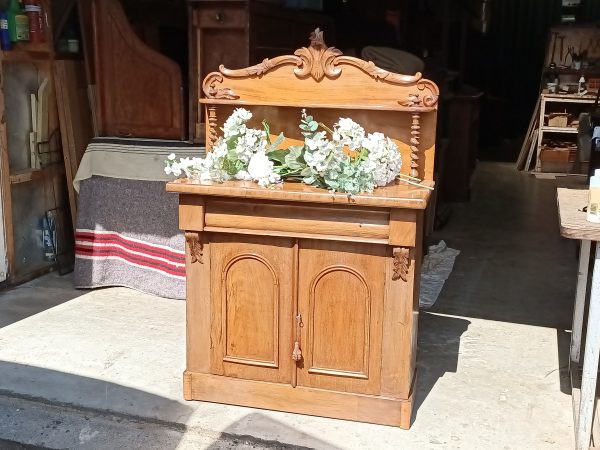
138	91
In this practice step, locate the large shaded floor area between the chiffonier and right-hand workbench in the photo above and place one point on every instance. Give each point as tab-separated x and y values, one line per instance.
514	266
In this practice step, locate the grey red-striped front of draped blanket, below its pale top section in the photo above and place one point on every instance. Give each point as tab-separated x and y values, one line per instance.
127	235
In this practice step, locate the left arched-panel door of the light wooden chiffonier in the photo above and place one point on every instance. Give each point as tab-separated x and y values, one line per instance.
252	315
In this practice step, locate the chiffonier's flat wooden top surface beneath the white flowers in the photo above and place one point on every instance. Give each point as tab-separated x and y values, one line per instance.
395	196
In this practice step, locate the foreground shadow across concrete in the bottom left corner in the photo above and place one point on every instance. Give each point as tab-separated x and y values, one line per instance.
99	400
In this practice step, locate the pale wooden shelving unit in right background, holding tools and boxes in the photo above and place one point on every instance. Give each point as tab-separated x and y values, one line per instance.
552	102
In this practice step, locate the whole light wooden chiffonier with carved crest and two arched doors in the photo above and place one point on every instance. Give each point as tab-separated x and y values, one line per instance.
300	299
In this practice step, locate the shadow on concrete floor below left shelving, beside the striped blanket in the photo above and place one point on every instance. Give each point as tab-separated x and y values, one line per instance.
18	303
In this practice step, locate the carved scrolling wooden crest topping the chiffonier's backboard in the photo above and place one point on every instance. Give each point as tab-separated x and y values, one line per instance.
319	61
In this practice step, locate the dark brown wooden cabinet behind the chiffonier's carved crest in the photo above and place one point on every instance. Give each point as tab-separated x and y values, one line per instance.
238	33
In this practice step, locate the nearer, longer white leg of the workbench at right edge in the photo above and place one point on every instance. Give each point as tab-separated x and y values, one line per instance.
590	363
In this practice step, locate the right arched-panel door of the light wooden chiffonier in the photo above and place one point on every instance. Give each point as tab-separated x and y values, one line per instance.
341	290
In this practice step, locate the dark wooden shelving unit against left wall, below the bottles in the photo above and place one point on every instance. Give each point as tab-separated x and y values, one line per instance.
29	189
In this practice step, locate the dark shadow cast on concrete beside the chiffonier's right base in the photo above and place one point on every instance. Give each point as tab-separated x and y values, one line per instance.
439	346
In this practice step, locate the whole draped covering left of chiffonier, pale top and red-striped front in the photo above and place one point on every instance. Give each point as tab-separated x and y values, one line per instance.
127	232
